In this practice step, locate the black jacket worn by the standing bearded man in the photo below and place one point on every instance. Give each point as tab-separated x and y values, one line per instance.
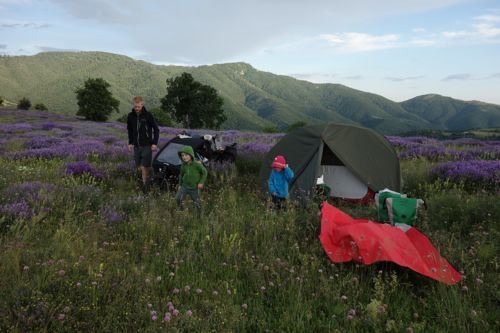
142	129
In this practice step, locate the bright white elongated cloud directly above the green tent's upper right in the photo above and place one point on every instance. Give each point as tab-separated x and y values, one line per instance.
360	42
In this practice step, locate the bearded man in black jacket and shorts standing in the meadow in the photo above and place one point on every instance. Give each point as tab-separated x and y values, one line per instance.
143	135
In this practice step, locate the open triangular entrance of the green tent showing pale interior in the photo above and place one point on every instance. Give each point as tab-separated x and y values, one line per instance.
342	182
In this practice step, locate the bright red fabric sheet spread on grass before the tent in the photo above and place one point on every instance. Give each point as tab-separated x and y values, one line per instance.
345	239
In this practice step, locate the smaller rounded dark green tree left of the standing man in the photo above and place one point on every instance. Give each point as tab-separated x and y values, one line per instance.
95	101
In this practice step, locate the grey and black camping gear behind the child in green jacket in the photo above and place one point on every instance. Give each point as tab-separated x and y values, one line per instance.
207	148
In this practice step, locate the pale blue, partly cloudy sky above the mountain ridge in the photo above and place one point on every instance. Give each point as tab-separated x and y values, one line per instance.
395	48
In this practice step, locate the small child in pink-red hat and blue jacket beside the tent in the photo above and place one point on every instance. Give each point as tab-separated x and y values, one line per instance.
280	177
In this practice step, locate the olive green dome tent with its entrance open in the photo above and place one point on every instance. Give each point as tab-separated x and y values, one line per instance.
354	162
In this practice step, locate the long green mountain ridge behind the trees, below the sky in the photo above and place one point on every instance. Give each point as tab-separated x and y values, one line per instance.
252	99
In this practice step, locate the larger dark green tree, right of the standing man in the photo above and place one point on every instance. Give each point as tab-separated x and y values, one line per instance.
193	104
